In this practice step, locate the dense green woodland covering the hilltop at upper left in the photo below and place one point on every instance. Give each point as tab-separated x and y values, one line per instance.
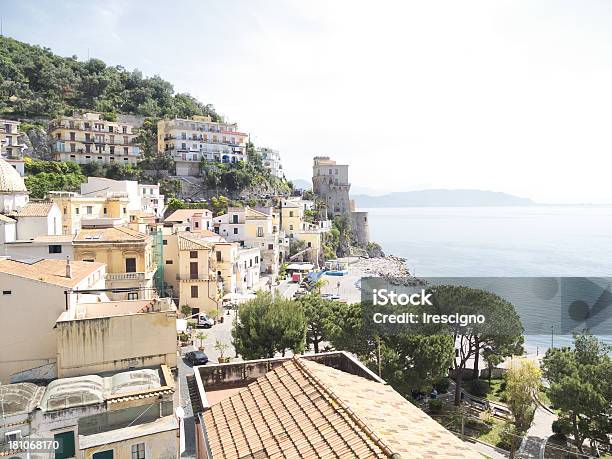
34	82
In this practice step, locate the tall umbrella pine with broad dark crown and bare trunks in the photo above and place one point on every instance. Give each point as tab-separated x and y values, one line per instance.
501	333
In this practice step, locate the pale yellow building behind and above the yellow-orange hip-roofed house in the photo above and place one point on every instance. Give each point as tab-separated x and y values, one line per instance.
78	210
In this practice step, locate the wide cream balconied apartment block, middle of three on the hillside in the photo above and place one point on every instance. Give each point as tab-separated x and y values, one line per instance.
87	138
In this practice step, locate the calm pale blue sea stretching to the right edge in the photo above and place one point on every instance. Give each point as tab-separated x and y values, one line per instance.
531	242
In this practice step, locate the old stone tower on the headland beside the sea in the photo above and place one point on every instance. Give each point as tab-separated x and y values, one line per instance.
330	183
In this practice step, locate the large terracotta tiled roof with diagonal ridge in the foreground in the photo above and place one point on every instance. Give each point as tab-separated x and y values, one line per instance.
303	408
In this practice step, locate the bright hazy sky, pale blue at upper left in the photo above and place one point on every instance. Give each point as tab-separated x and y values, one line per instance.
512	96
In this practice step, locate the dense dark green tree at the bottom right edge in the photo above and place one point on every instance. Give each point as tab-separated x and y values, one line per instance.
581	388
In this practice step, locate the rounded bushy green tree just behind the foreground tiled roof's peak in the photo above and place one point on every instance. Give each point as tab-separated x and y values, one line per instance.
267	325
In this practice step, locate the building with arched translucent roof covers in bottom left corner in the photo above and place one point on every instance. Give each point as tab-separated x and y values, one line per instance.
127	414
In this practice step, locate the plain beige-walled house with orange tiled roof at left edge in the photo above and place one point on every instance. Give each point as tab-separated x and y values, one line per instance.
33	296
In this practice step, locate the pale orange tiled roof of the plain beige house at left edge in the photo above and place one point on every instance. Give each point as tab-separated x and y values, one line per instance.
50	271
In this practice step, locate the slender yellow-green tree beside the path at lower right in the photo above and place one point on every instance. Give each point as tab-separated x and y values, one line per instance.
522	382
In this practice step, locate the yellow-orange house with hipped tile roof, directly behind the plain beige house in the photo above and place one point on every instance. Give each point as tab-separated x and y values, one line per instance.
128	256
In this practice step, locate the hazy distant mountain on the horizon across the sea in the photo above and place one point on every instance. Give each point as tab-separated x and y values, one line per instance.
441	198
